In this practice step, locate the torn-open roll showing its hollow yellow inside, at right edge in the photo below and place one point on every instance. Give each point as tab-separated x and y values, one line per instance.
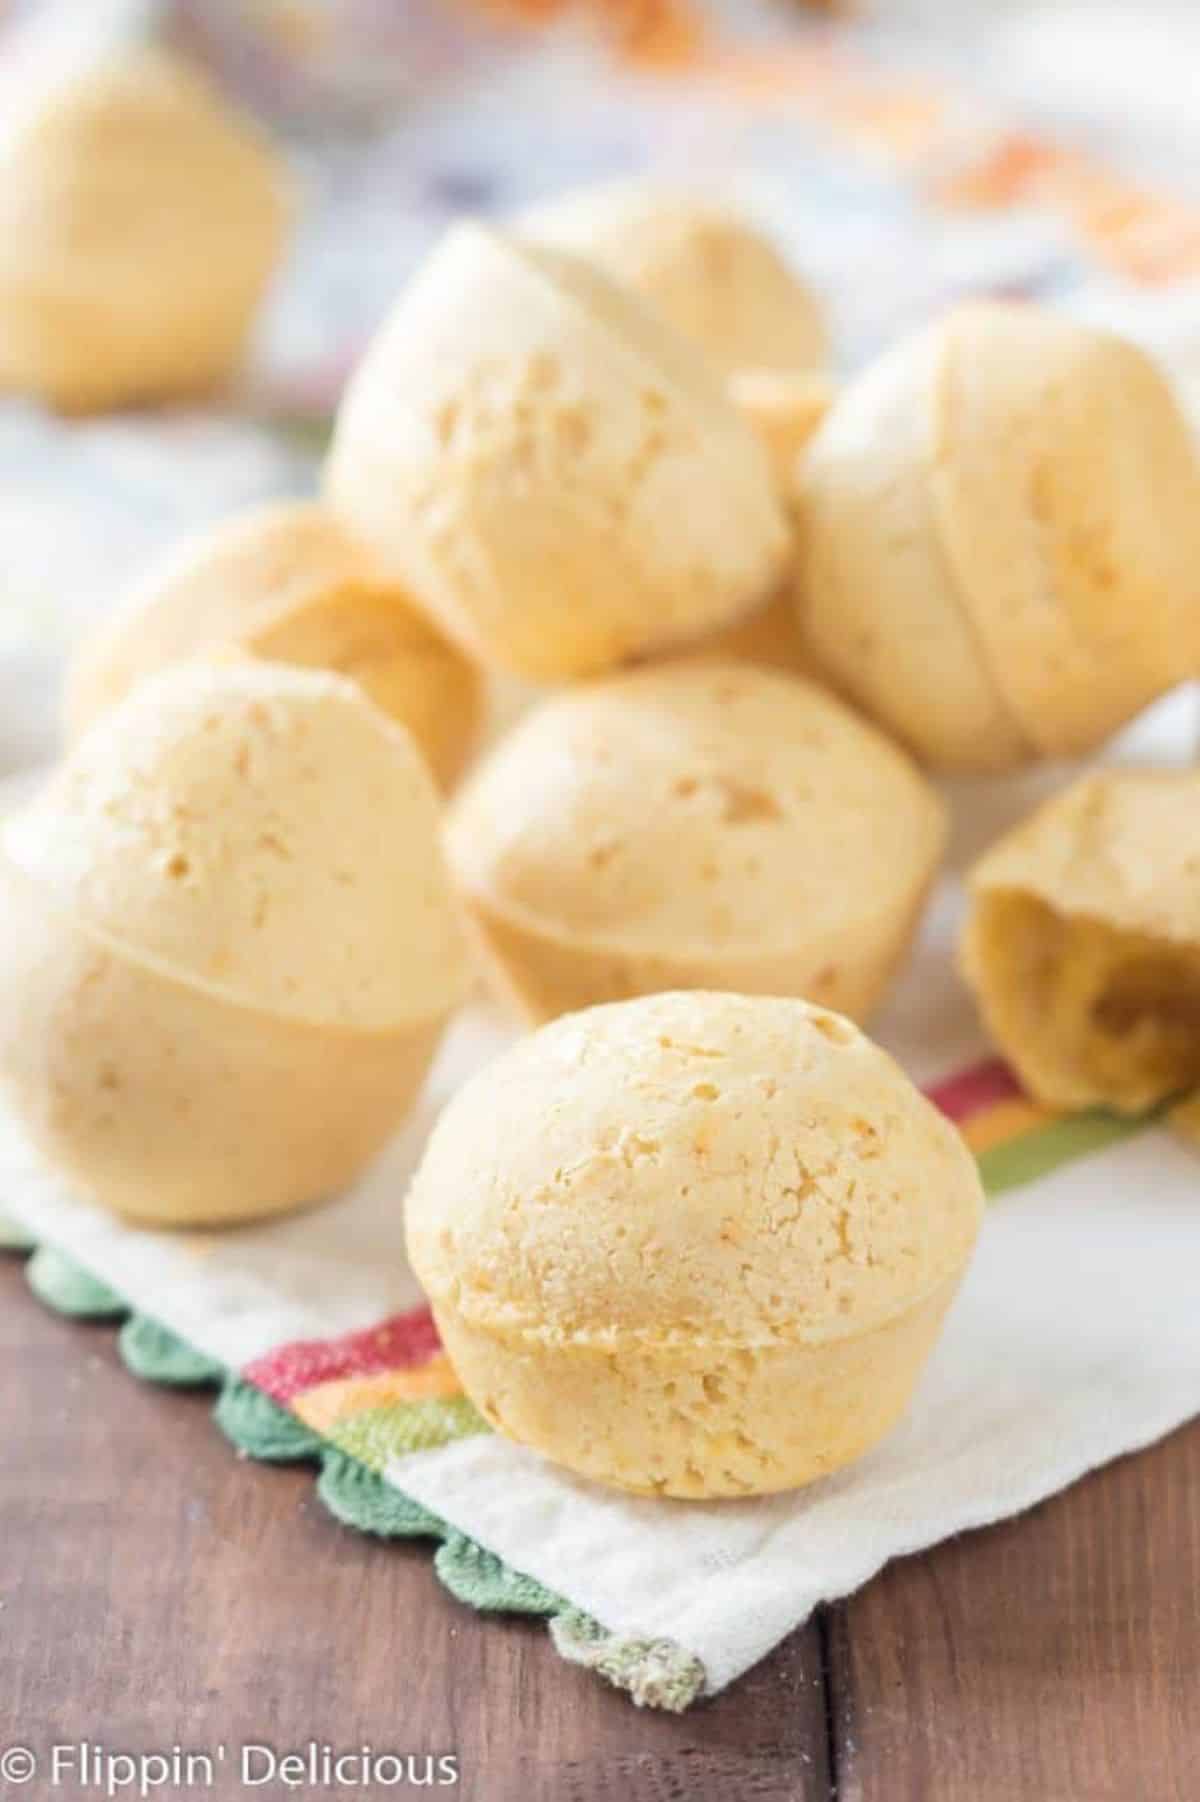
1084	942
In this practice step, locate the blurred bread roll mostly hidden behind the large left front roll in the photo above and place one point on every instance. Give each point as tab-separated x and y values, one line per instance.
287	583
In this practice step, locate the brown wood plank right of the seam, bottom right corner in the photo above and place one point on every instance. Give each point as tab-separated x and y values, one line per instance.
1053	1659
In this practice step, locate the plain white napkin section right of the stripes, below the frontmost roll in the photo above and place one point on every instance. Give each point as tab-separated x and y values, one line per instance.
1077	1338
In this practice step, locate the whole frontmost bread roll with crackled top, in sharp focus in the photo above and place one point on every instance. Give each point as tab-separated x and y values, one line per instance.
695	1244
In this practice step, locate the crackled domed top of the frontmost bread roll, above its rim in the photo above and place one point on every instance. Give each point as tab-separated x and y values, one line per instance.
691	1167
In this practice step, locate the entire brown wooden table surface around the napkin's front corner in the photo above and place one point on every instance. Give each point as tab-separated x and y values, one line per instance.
156	1590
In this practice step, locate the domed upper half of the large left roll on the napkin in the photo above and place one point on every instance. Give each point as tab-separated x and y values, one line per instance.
259	832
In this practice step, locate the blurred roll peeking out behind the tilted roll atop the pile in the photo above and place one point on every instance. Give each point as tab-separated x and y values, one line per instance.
707	271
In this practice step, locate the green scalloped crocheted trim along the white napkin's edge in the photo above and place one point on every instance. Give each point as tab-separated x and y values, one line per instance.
657	1673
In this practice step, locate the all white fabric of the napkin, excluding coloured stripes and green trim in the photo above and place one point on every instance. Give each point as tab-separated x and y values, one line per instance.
1075	1338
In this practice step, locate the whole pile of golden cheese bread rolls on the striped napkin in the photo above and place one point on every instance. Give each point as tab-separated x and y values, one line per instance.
695	1235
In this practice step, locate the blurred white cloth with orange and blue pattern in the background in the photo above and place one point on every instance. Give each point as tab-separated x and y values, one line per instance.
904	152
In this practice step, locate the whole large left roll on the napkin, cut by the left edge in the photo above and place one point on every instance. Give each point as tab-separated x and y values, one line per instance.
226	945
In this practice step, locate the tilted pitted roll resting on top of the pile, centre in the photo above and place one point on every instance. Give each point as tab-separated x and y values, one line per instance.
549	469
